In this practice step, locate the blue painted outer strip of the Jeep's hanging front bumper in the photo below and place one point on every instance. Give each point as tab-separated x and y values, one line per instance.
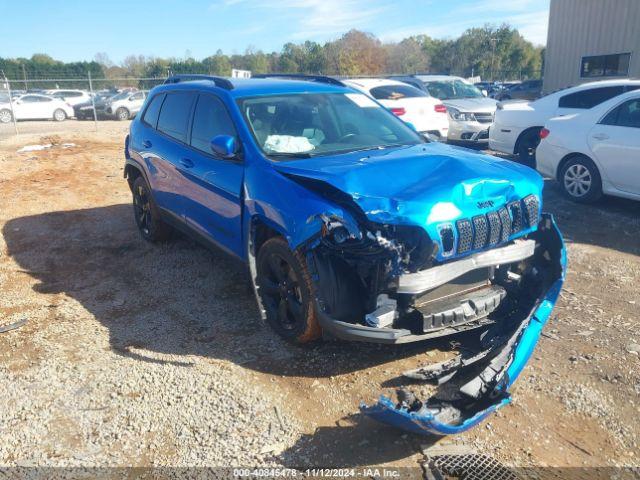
385	410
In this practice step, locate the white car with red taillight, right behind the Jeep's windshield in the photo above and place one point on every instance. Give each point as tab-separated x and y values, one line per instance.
425	113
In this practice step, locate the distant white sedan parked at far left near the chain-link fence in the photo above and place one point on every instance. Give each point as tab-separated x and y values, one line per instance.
36	107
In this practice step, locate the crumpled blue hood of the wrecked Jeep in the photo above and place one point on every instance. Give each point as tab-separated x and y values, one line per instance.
421	185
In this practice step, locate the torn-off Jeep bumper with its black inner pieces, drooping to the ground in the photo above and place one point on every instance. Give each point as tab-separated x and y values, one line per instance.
476	382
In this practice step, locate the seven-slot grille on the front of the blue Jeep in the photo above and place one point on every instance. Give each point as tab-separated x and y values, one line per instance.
488	230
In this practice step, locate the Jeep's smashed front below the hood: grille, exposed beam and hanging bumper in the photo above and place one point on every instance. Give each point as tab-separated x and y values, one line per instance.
391	284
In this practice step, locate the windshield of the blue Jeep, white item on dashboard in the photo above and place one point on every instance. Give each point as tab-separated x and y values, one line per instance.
310	124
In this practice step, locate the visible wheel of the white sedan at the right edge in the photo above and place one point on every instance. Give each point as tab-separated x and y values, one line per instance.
580	180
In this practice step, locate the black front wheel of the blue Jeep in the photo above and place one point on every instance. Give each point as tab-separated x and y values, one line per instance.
286	291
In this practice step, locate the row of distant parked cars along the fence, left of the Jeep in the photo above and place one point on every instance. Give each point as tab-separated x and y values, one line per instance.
59	105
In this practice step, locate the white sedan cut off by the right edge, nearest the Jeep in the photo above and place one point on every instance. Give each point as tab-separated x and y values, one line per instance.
595	152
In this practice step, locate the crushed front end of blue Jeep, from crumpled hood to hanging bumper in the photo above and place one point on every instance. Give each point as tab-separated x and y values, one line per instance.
436	257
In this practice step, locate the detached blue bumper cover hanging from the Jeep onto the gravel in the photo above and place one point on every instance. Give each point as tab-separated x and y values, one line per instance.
493	370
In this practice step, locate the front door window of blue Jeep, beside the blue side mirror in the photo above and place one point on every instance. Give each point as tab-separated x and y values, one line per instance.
210	119
